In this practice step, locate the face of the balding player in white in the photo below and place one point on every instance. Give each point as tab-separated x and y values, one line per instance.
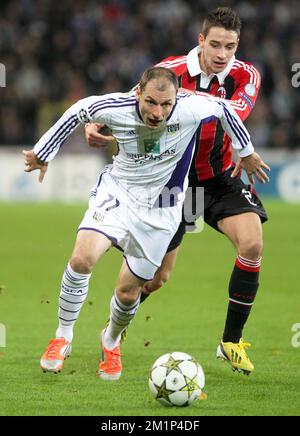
155	106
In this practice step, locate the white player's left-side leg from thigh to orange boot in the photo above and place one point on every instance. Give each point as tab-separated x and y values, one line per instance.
89	248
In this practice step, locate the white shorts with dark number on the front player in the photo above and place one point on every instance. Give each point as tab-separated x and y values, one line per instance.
143	234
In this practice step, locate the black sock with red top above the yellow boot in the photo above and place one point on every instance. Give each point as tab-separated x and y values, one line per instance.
243	287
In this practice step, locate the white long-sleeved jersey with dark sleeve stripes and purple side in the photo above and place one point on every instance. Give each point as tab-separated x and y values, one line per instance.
149	160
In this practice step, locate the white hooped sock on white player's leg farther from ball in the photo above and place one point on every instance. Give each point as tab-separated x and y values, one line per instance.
74	290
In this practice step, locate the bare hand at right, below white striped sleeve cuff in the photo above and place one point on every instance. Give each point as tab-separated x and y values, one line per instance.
254	166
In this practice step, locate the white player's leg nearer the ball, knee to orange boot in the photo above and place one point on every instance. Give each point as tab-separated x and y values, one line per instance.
123	307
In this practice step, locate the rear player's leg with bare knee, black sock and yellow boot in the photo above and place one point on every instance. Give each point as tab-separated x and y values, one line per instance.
245	232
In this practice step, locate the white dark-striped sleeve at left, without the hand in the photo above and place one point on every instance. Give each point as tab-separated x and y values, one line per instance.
91	109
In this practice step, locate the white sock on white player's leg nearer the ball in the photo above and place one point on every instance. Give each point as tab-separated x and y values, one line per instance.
120	318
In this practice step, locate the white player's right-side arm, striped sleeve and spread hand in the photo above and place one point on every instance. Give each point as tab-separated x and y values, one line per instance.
249	160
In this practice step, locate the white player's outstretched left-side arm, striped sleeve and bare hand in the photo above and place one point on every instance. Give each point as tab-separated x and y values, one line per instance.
48	146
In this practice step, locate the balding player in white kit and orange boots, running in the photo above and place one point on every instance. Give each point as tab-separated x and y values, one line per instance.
136	204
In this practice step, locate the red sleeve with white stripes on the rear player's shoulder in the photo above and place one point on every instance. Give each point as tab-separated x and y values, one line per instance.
245	95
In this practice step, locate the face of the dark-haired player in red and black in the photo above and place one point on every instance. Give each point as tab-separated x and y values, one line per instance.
217	49
